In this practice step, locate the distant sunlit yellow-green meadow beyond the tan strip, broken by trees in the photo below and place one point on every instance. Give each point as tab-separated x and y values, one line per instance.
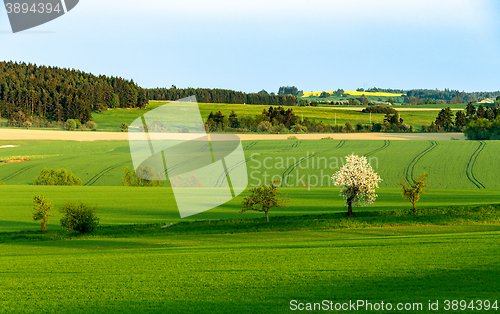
110	120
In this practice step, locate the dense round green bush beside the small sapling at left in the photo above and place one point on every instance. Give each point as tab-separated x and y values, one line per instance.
79	217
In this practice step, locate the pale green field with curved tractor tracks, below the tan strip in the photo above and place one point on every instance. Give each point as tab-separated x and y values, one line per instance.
451	164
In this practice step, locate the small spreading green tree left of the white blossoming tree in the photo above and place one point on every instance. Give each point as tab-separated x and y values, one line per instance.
264	198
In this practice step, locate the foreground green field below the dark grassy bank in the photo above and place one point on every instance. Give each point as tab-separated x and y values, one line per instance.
250	273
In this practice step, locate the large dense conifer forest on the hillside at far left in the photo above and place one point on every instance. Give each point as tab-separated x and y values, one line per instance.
56	94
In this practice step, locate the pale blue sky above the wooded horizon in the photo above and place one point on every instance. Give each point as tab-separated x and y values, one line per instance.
248	46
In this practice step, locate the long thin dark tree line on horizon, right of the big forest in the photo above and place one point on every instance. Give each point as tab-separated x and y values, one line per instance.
204	95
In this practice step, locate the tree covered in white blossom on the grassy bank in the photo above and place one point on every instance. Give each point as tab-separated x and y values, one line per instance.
358	182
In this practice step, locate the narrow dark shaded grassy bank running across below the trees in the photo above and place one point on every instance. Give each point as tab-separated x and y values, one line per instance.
452	215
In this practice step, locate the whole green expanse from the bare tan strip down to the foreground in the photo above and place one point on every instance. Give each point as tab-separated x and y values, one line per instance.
254	271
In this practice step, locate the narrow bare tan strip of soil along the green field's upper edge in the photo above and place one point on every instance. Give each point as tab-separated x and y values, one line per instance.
19	134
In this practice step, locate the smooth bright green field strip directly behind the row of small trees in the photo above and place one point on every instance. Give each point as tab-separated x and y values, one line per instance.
126	205
